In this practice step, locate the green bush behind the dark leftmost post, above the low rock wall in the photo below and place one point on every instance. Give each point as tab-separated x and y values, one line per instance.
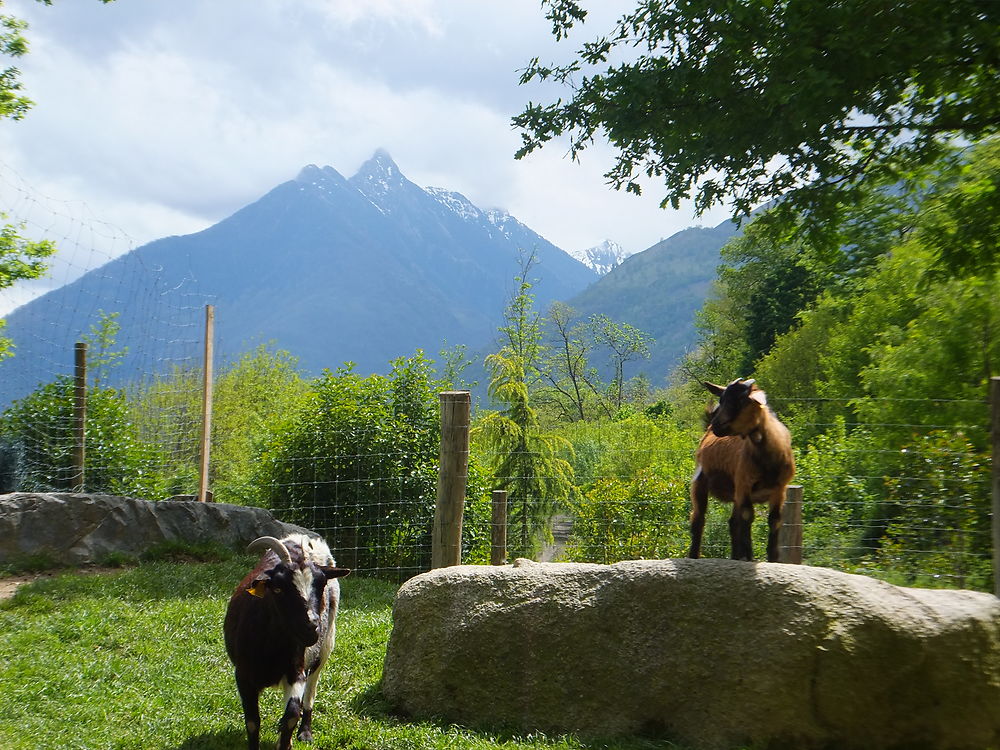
117	460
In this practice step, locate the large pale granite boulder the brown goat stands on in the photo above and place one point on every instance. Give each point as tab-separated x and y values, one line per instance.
712	653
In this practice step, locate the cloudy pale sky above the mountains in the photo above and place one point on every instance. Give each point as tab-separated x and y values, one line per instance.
163	117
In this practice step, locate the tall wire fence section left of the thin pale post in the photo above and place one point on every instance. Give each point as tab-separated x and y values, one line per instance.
143	333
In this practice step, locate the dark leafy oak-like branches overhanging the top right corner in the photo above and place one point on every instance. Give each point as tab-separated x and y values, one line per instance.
748	102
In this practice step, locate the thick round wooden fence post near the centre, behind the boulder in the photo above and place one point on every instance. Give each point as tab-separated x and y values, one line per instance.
446	539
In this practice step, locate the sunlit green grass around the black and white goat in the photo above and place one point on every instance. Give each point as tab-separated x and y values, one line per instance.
134	660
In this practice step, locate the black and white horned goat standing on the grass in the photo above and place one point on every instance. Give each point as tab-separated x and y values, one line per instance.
279	630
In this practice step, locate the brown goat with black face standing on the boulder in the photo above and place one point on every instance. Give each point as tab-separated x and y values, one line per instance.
745	457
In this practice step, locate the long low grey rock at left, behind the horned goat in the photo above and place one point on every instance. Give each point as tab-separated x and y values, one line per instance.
75	529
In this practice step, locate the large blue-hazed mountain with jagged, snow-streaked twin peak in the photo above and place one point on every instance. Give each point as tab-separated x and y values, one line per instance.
364	269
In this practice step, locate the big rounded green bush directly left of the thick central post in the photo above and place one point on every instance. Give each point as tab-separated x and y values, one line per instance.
359	465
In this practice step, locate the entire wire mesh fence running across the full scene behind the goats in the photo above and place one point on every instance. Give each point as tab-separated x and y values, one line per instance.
897	488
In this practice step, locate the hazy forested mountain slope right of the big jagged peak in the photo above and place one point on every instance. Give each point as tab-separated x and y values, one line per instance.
659	290
